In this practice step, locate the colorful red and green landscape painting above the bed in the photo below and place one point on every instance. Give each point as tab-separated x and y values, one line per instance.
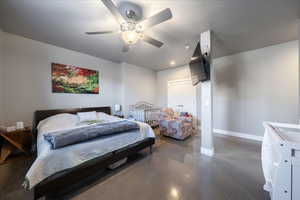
70	79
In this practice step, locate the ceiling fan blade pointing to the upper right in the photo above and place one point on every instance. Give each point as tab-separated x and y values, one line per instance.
160	17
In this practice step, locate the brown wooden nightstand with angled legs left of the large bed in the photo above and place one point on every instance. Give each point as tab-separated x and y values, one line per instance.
20	139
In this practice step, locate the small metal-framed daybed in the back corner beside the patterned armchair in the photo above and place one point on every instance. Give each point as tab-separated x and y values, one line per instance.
145	112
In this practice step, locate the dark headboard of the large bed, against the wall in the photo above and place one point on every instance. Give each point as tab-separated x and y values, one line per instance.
43	114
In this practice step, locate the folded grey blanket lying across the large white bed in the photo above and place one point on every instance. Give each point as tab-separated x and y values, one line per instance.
67	137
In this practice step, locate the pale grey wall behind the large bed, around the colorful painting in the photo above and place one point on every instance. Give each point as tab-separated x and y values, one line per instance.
28	79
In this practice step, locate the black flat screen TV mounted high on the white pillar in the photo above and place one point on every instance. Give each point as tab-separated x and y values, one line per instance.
199	67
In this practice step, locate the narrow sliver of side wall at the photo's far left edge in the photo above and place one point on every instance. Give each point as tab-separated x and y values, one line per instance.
1	79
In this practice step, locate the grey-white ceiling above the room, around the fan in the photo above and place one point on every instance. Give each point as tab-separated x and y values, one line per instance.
238	25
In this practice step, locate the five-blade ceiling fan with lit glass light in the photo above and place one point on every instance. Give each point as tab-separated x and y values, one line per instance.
132	31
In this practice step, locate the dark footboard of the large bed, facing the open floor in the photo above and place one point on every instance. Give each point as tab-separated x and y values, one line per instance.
71	179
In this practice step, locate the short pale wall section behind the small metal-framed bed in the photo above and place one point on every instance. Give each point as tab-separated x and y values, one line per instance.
138	84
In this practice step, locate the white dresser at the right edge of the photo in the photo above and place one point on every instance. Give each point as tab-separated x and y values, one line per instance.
281	160
